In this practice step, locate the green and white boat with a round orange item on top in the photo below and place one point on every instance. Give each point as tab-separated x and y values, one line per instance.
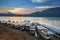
43	32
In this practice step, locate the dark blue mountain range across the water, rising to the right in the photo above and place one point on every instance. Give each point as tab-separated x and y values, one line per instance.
51	12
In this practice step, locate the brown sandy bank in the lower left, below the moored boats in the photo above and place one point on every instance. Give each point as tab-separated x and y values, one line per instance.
9	34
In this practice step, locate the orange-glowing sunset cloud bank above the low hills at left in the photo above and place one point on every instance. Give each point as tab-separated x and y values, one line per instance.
18	10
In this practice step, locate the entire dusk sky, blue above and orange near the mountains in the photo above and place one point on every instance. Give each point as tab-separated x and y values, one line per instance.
26	6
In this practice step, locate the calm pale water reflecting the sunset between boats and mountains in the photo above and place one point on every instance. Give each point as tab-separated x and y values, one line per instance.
50	21
